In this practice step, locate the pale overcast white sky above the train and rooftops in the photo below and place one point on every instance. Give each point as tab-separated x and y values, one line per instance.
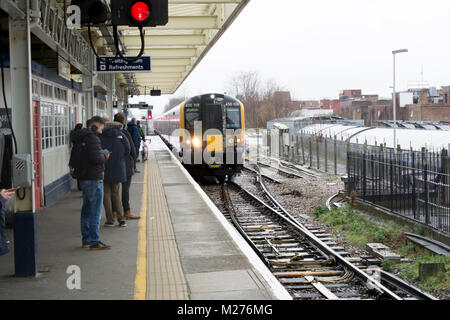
316	48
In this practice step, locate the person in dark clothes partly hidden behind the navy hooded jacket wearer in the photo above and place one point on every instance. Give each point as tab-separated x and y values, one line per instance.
129	163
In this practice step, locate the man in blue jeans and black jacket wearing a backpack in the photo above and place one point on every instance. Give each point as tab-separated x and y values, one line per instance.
87	162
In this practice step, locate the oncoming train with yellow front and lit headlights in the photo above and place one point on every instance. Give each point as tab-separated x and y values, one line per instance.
207	133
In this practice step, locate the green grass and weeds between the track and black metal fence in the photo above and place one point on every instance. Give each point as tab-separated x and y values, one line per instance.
359	230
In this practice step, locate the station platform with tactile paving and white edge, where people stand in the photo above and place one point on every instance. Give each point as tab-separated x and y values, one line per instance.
182	248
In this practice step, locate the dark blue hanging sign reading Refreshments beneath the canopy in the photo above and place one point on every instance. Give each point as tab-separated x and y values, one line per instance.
117	65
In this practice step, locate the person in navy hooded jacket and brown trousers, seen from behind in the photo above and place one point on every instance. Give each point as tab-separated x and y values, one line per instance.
115	172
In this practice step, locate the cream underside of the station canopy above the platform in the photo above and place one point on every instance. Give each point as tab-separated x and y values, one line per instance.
176	48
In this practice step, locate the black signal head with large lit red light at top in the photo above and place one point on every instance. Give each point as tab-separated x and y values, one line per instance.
139	13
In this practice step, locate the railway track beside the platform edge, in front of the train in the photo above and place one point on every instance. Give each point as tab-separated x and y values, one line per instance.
304	258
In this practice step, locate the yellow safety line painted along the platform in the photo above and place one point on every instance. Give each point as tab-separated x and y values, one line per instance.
140	282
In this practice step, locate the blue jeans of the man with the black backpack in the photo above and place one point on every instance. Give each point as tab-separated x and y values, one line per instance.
91	212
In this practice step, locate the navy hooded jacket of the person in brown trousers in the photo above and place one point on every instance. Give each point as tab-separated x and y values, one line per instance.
117	143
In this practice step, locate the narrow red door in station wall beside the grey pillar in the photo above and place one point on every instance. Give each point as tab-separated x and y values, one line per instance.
37	153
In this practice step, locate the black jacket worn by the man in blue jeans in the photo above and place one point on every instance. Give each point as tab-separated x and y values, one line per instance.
95	158
